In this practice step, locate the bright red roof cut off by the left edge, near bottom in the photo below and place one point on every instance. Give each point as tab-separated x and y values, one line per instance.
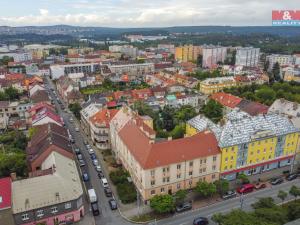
5	193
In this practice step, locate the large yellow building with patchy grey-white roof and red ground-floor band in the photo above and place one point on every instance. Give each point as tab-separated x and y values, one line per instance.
251	145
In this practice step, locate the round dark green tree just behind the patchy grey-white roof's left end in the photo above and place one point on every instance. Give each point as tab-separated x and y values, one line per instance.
213	110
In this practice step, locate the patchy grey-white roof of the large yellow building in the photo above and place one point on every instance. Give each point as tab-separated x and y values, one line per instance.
240	127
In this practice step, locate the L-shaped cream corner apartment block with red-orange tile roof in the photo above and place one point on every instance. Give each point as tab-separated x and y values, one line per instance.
164	167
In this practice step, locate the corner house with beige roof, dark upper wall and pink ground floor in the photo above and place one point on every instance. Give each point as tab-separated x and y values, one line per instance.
52	196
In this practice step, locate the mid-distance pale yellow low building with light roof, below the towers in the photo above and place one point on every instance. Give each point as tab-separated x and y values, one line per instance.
214	85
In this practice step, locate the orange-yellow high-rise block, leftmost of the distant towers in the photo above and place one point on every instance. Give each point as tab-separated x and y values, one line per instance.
187	53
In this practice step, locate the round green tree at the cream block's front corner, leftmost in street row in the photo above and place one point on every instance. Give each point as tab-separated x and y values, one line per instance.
162	203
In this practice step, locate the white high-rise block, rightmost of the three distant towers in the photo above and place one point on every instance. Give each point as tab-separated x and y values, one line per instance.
247	57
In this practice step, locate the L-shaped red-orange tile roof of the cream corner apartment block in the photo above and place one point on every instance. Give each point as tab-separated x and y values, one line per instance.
151	155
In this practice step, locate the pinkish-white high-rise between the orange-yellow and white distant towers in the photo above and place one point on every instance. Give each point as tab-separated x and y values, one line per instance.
212	55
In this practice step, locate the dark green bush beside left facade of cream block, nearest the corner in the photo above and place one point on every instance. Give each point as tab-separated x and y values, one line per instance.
127	192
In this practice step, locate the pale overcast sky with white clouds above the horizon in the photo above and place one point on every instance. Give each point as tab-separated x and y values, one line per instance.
141	13
